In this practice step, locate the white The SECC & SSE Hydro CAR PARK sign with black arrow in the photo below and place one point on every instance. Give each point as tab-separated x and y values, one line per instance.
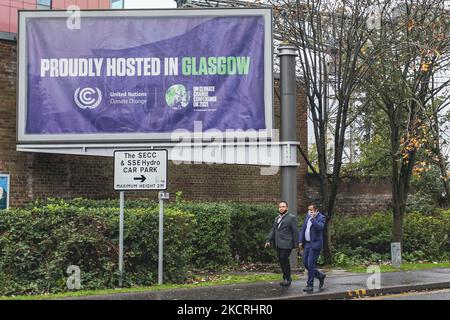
140	170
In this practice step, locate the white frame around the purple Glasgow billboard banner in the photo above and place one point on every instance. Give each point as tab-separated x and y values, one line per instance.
45	139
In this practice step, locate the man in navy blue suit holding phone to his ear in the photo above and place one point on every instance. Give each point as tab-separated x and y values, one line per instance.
311	243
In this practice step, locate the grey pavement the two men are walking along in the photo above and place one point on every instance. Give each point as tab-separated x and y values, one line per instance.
338	285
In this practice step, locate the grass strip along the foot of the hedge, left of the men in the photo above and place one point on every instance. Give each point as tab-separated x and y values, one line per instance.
201	281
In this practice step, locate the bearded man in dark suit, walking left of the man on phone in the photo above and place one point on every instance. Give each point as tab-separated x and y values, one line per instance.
284	234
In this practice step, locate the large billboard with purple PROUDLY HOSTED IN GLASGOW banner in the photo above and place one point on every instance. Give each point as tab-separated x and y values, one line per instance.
139	75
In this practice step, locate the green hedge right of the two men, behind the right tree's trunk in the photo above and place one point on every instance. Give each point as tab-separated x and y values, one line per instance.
357	238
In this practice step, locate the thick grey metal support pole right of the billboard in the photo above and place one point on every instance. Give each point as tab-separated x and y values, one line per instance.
287	54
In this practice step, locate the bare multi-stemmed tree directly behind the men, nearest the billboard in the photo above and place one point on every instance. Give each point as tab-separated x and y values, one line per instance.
330	37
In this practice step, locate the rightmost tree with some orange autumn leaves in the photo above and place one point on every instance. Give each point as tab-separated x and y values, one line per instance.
414	42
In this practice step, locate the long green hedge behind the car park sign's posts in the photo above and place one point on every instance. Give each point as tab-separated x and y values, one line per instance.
38	243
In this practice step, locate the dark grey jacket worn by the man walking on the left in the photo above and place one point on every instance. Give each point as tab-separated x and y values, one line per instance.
285	235
